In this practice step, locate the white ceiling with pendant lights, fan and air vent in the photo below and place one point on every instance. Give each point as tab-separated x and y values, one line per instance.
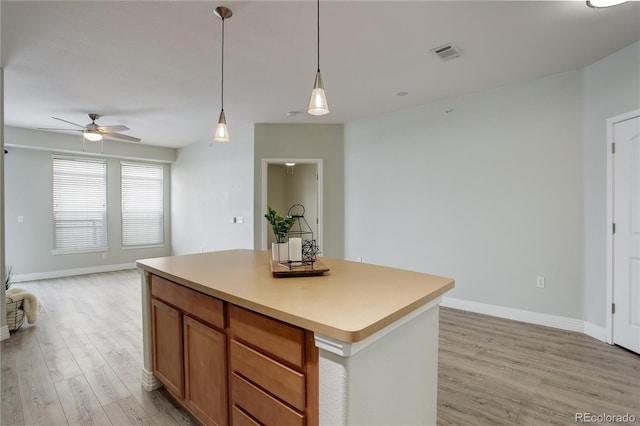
154	66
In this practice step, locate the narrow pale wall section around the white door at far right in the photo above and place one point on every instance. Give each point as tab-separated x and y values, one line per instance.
611	88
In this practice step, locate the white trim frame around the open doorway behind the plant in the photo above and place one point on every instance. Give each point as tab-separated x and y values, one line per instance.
265	186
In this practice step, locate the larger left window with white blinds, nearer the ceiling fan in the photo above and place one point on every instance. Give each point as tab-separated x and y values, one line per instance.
79	204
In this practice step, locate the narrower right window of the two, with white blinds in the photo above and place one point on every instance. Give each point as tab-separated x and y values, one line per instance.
142	204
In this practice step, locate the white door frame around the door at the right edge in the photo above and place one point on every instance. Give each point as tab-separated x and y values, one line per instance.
610	189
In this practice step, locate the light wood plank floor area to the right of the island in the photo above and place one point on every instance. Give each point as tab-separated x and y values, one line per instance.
499	372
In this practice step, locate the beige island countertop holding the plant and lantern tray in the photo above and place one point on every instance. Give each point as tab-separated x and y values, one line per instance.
349	303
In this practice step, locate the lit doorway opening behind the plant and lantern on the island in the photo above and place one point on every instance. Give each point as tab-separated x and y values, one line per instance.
289	181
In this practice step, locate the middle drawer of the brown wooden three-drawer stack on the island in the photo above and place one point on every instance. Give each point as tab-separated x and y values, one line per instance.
276	378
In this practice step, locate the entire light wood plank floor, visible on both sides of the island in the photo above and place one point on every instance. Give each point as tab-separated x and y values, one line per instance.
81	363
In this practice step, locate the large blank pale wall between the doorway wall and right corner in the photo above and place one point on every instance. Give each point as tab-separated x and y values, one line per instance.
490	194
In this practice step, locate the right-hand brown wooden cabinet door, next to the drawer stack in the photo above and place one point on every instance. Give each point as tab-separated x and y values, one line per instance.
205	372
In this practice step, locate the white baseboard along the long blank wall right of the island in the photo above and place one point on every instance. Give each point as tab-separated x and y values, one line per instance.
554	321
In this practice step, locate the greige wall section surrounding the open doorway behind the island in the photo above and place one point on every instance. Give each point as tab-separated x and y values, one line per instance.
306	141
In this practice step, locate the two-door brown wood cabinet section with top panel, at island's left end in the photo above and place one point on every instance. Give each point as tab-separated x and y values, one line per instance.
189	353
